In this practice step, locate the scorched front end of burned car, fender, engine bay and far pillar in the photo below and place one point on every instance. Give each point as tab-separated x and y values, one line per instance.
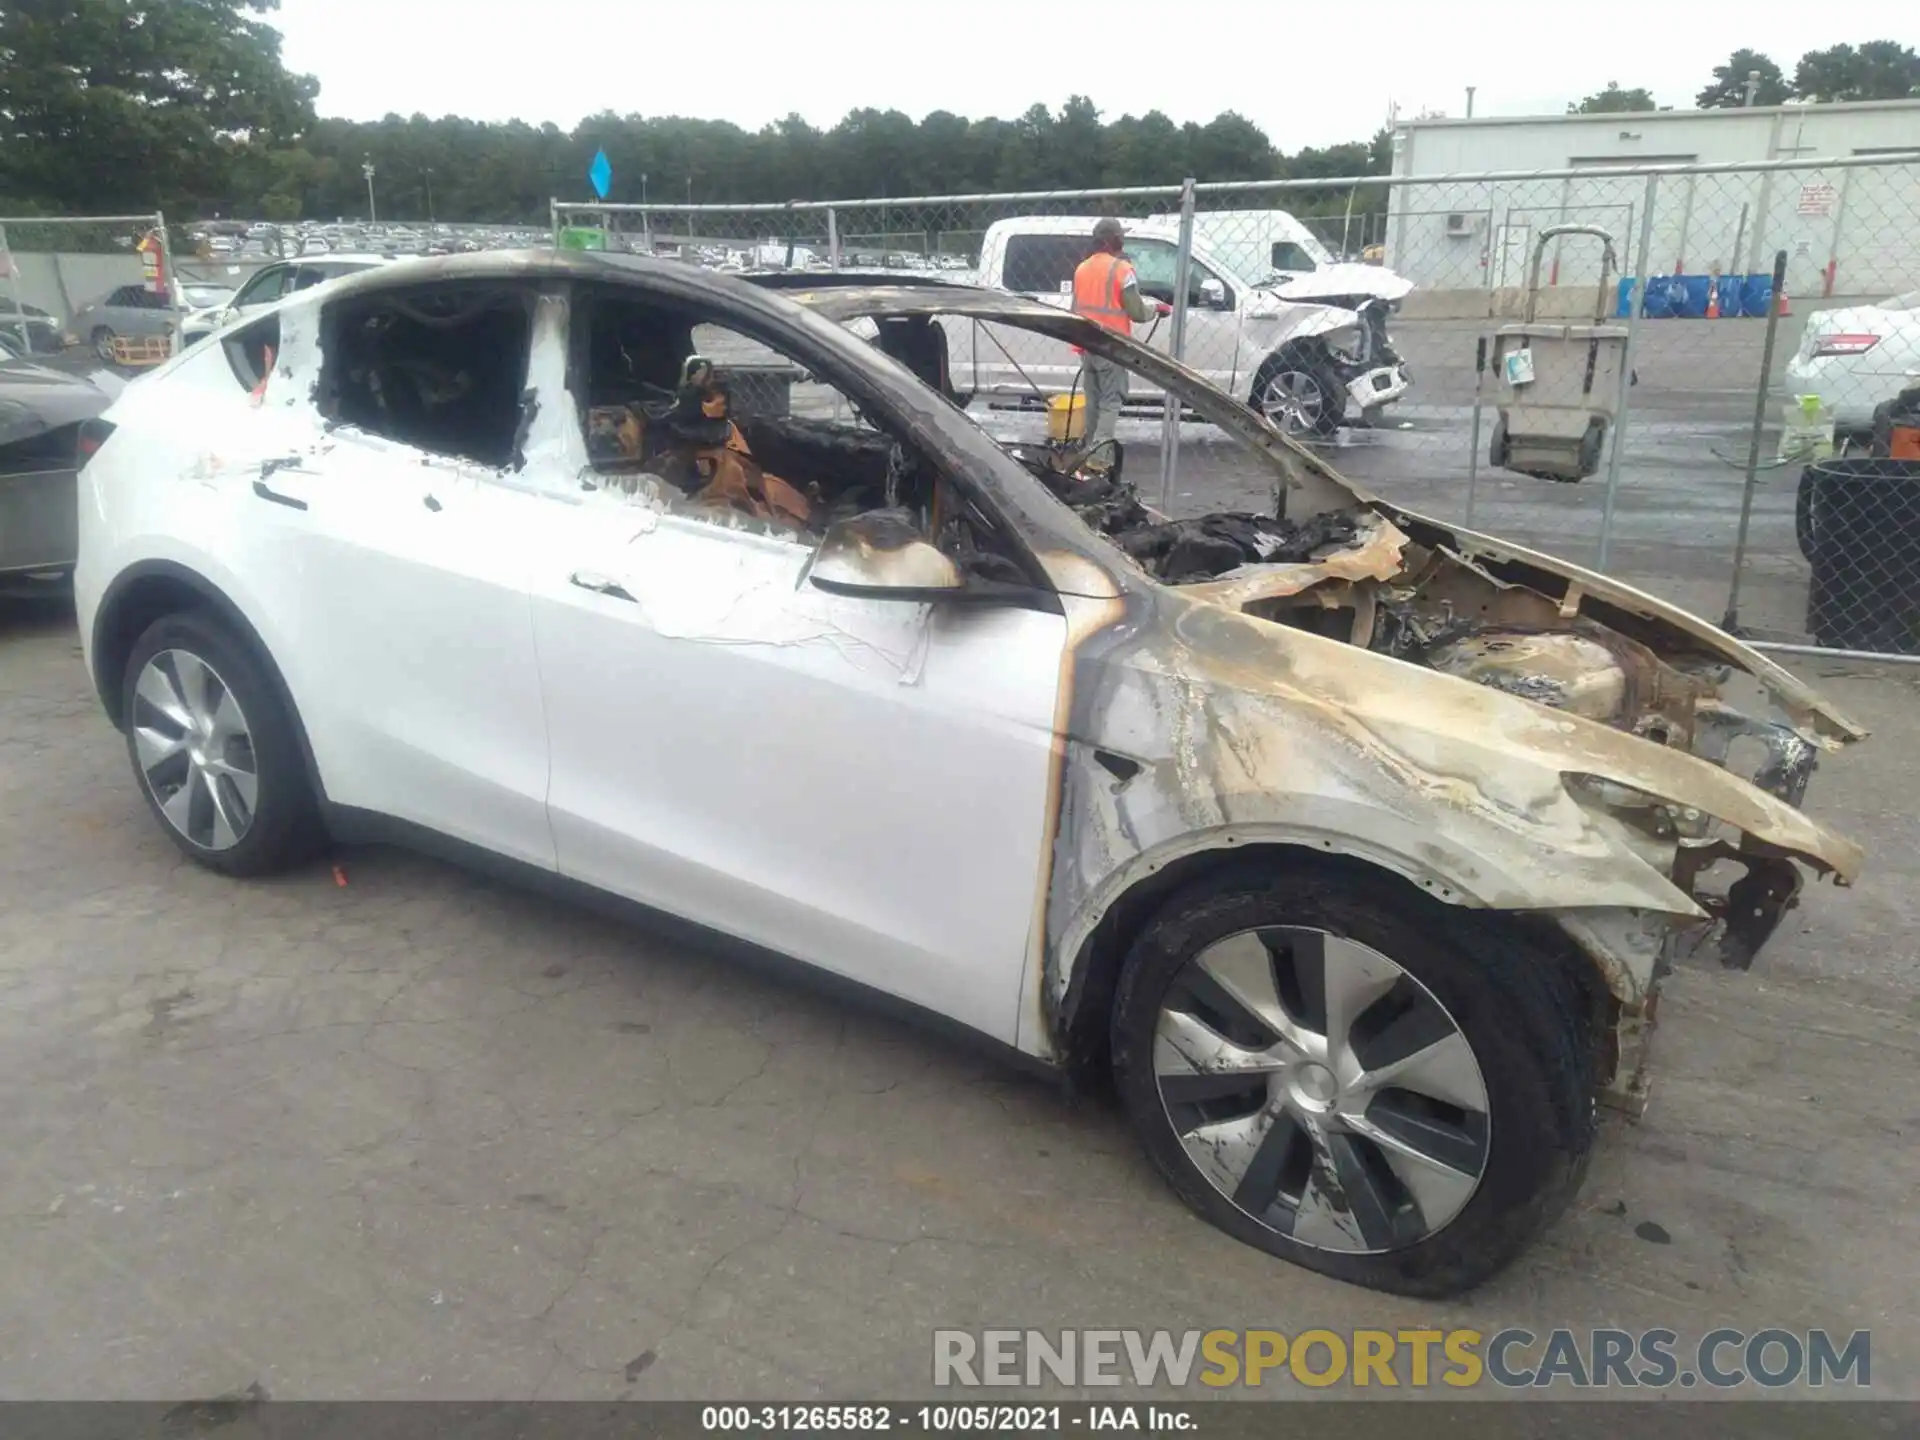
1339	681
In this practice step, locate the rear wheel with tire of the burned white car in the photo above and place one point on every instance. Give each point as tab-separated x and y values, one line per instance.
216	752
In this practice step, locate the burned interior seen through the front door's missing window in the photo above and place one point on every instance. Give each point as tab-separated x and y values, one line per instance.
702	414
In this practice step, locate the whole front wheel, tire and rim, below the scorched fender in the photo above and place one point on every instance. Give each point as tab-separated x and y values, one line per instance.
1353	1076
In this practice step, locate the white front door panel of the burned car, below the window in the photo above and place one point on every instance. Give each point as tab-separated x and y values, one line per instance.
855	782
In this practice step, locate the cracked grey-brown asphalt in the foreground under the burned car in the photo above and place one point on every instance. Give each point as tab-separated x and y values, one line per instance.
389	1130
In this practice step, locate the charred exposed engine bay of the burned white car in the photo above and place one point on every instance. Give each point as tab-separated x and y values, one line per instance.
1404	588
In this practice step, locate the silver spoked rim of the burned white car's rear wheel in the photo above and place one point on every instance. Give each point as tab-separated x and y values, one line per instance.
195	750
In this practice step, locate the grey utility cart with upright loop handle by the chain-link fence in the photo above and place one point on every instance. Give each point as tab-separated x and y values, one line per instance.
1560	385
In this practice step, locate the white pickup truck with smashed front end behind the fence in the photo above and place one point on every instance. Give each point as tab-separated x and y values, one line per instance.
1303	366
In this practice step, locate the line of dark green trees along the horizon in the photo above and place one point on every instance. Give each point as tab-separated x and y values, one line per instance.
118	107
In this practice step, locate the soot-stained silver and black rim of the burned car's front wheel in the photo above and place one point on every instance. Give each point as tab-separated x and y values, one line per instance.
1322	1090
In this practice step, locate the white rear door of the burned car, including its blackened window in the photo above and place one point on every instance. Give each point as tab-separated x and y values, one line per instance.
395	558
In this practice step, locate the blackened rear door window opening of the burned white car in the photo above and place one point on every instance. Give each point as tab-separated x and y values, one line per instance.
437	368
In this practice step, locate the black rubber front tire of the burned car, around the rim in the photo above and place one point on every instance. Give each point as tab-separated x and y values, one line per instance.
1527	1005
